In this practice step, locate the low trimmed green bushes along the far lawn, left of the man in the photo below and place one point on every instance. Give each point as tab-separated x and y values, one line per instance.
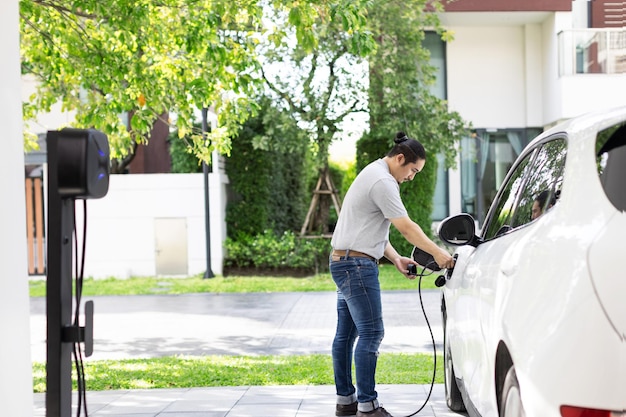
271	251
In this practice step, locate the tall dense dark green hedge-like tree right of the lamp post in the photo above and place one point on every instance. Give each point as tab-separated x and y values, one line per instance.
267	182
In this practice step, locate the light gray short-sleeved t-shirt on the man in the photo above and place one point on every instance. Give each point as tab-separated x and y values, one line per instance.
373	199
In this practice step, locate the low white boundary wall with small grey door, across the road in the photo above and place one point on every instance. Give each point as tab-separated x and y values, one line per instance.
121	226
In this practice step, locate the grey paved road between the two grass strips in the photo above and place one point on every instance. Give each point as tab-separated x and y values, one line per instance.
238	324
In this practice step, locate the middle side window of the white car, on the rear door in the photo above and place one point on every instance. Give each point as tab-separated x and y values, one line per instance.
543	186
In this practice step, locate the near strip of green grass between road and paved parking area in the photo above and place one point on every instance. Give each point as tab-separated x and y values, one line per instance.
223	371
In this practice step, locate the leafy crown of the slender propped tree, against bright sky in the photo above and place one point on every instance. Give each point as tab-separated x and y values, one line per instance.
320	84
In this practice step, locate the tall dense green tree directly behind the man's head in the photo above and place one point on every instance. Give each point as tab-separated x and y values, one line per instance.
400	100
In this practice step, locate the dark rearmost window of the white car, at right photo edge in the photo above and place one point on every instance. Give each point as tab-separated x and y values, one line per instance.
611	158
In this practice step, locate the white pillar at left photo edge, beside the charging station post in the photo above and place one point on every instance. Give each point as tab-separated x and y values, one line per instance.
16	398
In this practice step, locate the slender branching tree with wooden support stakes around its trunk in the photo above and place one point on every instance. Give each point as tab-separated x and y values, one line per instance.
320	89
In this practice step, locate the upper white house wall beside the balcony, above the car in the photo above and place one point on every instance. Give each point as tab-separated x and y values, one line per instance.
503	70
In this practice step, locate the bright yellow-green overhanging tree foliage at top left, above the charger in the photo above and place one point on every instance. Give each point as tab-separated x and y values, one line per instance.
143	58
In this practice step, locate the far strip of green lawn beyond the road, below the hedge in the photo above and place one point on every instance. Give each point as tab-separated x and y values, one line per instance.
390	279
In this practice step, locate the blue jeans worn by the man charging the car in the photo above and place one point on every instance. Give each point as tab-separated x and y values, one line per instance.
359	313
